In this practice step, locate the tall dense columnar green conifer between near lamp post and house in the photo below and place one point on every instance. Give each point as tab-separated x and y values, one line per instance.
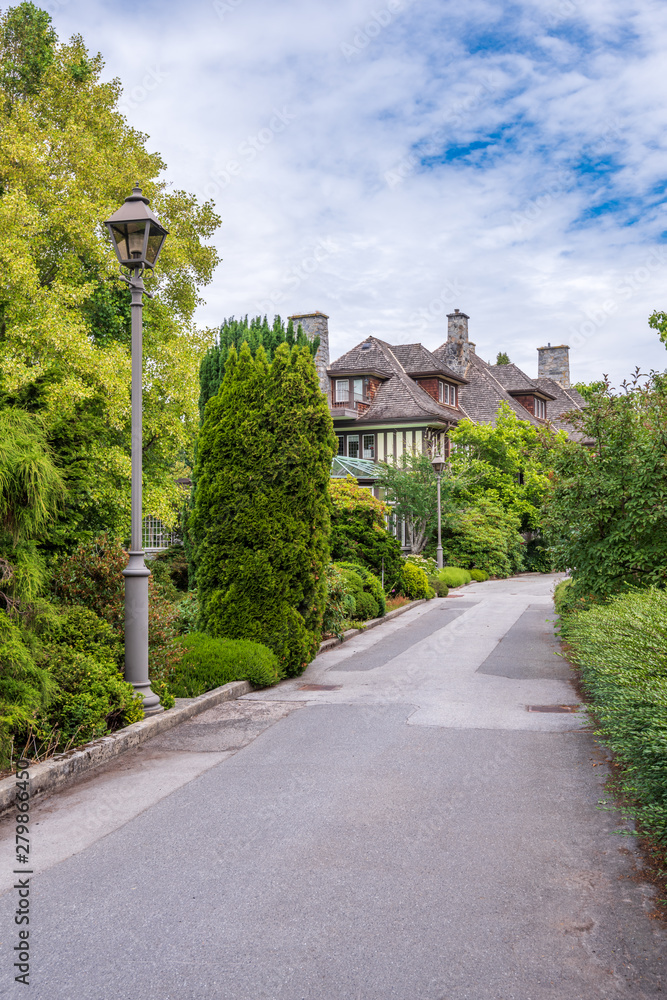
261	518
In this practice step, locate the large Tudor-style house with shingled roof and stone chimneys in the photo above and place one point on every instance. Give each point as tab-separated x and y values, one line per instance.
387	399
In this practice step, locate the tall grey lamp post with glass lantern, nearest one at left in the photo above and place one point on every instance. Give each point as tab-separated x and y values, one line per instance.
137	238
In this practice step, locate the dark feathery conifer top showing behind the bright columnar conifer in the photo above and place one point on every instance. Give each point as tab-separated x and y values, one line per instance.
256	333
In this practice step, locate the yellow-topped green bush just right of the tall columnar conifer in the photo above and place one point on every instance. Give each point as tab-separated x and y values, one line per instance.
359	531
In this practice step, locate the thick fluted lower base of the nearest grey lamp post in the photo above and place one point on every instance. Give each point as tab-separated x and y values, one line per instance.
136	631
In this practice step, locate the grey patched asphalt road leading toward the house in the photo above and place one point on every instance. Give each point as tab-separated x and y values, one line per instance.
417	824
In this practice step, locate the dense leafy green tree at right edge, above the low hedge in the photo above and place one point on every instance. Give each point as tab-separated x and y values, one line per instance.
607	516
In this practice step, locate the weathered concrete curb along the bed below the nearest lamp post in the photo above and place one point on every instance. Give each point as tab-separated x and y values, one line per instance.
65	769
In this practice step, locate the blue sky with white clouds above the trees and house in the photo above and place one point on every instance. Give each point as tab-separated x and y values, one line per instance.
385	162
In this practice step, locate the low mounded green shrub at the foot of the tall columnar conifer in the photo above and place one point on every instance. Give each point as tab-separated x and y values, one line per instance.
208	663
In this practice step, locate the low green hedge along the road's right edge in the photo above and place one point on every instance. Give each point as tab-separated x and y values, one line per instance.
621	649
